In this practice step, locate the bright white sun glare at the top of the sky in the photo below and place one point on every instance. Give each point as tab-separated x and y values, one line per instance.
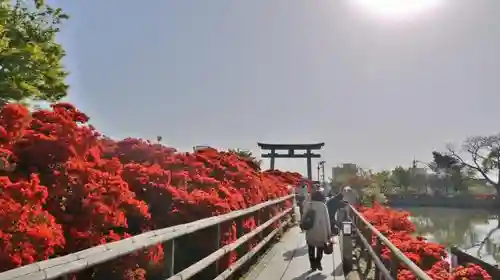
397	9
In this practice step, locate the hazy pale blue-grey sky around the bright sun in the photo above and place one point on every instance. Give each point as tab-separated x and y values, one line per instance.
230	73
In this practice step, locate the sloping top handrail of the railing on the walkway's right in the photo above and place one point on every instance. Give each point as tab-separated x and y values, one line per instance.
417	271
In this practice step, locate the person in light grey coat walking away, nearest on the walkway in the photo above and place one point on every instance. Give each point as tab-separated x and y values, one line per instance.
320	233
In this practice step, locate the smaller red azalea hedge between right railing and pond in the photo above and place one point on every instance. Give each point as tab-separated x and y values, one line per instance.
398	228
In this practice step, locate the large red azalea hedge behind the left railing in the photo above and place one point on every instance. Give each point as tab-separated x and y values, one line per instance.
64	188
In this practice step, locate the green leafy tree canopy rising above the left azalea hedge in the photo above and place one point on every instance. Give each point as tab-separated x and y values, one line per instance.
30	58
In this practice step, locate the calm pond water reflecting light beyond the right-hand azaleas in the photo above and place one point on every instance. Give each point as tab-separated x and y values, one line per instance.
475	231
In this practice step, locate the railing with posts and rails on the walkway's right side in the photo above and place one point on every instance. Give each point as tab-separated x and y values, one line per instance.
364	233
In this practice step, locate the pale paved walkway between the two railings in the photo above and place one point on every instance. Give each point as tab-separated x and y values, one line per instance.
288	260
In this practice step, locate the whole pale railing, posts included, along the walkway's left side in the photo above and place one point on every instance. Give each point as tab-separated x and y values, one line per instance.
62	267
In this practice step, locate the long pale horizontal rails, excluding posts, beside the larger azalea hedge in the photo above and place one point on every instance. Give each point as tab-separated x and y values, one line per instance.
79	261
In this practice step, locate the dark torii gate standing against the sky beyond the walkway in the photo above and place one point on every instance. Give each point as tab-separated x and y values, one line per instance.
291	148
